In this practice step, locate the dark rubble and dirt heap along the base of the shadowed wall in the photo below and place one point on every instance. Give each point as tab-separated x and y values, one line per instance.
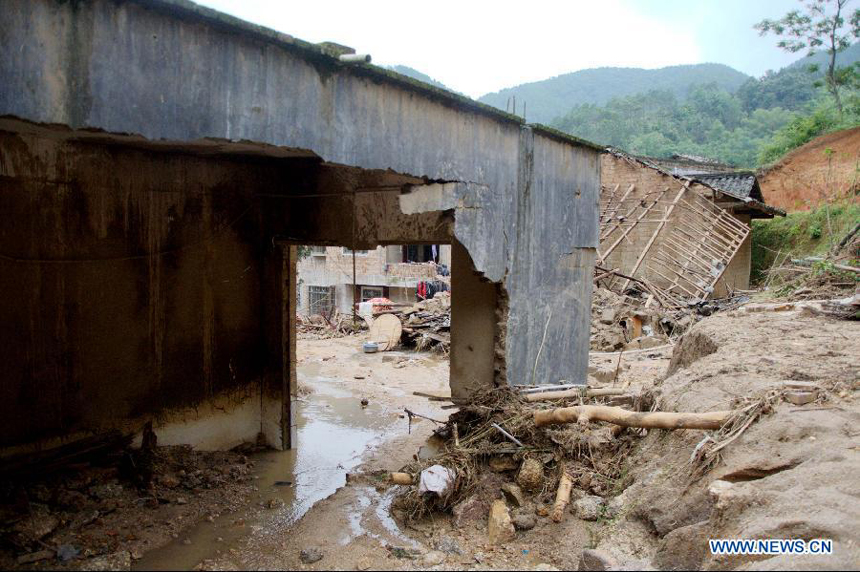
111	507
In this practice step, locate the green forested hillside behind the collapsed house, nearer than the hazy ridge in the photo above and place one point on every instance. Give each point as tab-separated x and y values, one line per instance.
751	125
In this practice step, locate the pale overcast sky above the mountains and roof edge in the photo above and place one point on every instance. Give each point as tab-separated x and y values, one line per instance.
477	47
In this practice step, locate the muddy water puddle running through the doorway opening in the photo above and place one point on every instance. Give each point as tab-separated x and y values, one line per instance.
334	432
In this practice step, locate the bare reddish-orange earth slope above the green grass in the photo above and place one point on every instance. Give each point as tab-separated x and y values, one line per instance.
805	177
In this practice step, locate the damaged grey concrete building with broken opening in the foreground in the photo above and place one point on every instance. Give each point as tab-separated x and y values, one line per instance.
159	163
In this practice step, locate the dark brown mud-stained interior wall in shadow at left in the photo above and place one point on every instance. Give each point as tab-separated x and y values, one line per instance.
131	283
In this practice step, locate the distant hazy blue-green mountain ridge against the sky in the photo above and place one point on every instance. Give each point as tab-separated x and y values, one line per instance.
551	98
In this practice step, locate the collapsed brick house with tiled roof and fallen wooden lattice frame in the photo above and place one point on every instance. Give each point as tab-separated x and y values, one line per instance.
681	224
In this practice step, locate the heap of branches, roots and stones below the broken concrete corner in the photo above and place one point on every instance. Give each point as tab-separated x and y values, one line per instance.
495	447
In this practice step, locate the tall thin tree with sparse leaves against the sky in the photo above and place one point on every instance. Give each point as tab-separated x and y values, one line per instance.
822	24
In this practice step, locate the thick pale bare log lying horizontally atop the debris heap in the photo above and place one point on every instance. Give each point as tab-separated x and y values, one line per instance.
584	414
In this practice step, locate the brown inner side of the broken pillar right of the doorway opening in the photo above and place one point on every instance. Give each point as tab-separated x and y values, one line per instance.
473	323
